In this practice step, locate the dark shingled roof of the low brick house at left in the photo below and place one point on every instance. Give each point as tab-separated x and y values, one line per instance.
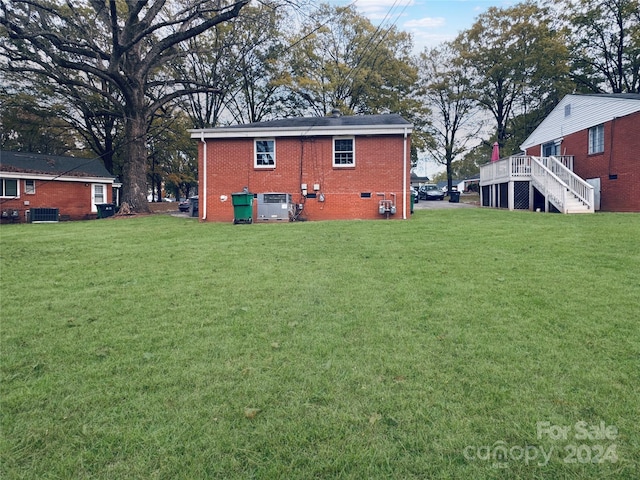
21	162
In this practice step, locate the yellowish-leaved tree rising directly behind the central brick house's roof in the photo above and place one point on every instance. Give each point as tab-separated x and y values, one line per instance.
340	59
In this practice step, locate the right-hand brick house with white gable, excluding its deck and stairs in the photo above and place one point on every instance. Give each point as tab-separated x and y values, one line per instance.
602	134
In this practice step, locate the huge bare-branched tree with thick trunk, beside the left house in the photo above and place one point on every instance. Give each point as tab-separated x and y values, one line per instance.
115	49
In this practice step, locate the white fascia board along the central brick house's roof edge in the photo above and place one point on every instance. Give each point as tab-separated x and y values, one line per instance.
239	132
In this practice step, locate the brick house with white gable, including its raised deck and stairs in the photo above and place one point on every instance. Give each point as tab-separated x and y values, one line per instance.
583	157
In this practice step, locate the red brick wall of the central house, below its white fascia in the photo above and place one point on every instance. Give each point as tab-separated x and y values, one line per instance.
378	169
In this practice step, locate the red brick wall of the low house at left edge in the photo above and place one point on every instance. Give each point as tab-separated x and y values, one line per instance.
73	199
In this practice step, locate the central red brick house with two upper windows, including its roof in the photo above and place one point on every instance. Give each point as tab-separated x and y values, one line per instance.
337	167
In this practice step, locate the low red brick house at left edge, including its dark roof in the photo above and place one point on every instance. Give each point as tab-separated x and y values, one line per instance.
71	185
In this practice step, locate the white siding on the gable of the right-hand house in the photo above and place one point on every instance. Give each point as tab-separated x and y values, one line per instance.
585	111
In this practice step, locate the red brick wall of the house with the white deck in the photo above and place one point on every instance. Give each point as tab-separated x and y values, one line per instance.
621	157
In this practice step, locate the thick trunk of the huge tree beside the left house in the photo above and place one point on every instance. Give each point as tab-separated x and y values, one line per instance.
134	171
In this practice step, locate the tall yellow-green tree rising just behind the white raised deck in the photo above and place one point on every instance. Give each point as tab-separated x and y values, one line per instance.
519	63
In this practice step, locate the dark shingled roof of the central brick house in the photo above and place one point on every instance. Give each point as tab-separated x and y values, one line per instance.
333	121
